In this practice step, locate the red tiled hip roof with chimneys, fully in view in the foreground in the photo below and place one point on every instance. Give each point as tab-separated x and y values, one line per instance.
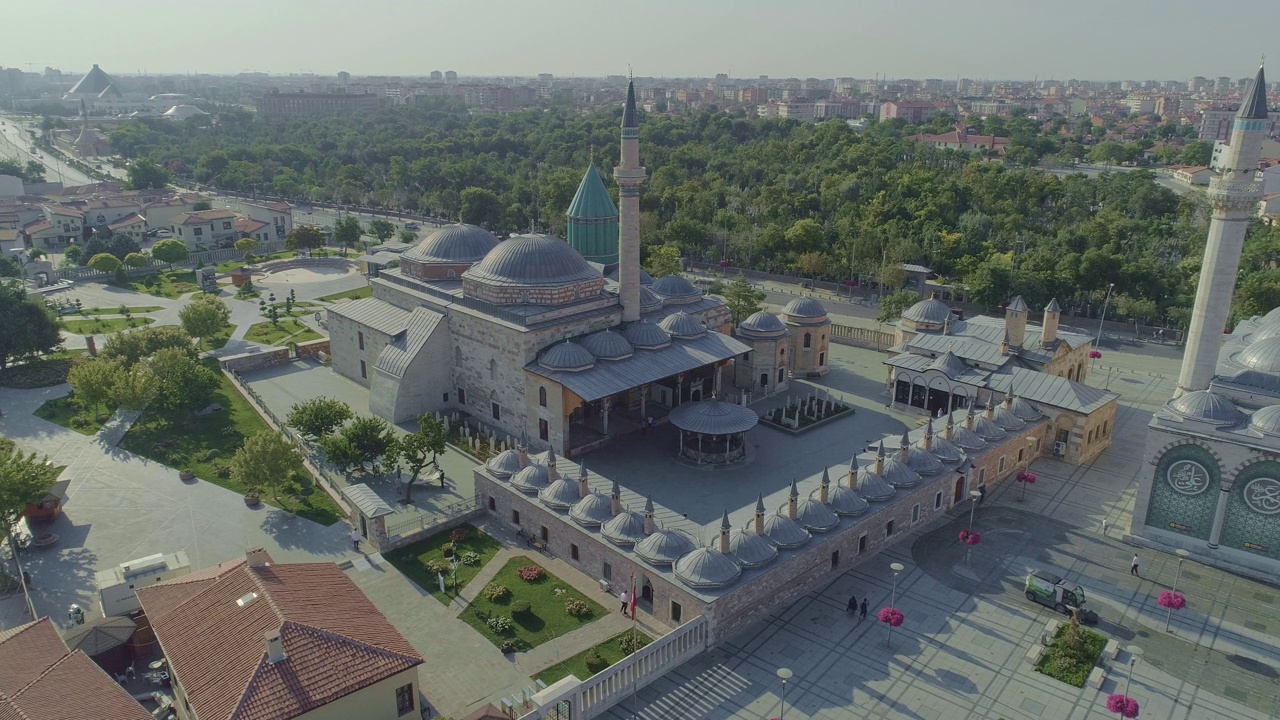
336	642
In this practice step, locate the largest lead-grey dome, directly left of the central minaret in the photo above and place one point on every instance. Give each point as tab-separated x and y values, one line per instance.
533	261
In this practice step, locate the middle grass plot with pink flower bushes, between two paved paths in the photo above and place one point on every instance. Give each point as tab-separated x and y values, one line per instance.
546	619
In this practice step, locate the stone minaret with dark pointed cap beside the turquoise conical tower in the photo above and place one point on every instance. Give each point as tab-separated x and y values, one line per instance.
629	176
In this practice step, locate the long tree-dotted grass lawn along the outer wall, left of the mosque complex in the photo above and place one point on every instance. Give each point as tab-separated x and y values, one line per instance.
205	445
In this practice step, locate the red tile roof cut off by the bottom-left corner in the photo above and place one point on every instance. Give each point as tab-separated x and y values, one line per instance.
42	681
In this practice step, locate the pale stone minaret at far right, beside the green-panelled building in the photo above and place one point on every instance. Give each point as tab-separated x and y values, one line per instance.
1235	195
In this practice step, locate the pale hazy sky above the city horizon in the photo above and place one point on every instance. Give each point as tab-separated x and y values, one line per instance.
918	39
